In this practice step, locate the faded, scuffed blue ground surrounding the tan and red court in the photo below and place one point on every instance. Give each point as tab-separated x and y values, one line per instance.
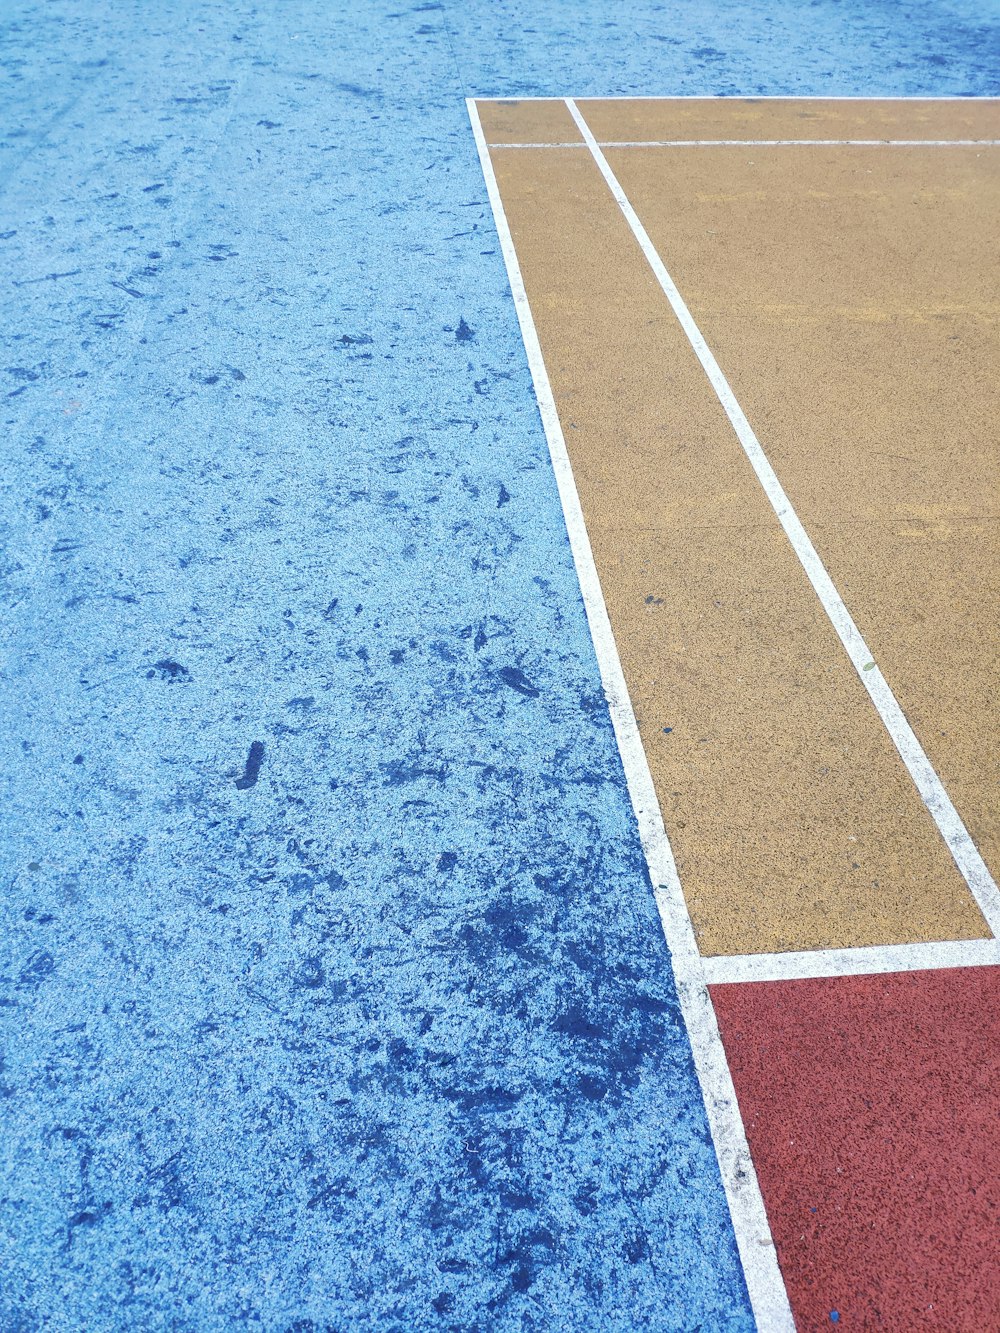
334	992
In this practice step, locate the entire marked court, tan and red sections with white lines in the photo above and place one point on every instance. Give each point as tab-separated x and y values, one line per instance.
834	255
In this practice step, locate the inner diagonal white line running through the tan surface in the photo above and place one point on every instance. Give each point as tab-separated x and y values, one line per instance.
950	826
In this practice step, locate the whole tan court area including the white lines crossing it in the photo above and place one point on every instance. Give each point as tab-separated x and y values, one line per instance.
839	259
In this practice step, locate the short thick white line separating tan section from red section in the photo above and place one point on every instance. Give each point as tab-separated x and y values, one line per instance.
853	963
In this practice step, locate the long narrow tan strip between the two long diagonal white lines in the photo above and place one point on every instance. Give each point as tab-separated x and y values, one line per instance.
794	822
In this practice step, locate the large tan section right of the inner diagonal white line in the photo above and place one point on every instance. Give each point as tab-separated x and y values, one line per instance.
853	298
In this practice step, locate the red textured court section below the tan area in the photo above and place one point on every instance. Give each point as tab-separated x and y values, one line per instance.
873	1108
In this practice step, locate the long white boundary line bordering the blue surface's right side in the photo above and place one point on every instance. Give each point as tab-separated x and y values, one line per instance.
754	1238
